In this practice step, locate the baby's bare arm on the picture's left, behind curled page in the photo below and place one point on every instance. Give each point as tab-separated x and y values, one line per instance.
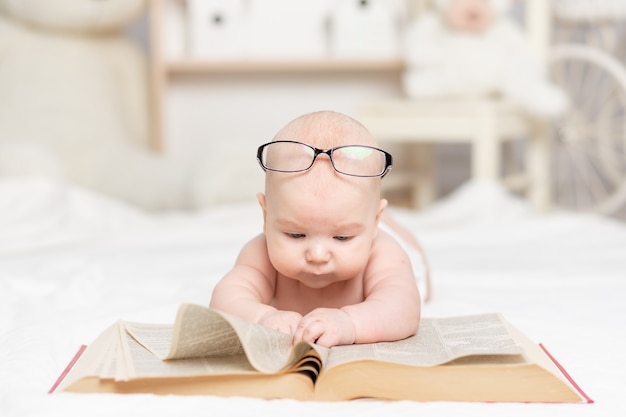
247	290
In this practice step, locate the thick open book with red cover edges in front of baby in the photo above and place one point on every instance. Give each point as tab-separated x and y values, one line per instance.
206	352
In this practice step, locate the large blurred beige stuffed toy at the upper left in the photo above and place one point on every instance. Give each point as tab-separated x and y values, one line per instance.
74	102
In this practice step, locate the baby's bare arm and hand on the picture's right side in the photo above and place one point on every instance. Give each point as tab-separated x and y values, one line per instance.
390	311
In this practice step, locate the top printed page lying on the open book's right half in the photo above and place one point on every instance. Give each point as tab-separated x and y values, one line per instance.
438	341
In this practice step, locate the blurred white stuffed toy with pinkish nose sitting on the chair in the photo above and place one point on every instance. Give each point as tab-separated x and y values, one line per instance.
474	48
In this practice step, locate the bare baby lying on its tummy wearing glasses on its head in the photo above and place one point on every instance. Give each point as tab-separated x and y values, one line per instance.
323	270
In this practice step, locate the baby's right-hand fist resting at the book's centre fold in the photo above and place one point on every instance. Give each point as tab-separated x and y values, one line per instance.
327	327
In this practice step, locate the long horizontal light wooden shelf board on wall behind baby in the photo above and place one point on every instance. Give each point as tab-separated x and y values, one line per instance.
193	66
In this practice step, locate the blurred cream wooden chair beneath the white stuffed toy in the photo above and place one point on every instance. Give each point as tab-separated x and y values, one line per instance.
484	123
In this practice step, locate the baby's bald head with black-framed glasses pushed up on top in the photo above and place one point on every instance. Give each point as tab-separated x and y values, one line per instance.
319	223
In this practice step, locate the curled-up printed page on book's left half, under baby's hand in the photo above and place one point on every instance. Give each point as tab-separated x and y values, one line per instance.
202	332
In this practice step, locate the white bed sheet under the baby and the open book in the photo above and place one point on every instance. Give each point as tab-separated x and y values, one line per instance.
71	263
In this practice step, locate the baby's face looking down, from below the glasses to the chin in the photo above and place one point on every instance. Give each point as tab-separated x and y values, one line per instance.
320	231
